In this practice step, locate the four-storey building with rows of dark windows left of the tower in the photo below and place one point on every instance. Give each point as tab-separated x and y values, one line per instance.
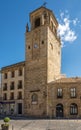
12	89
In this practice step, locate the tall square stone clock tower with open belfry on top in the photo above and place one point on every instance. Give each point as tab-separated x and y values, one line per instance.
43	60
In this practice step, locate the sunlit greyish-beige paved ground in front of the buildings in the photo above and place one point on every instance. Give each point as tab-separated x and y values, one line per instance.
25	124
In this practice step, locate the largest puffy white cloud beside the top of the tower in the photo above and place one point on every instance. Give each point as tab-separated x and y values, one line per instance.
65	30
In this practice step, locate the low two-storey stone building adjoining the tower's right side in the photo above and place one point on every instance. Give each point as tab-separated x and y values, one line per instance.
68	100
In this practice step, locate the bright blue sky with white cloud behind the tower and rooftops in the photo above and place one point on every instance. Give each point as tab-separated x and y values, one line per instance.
14	15
